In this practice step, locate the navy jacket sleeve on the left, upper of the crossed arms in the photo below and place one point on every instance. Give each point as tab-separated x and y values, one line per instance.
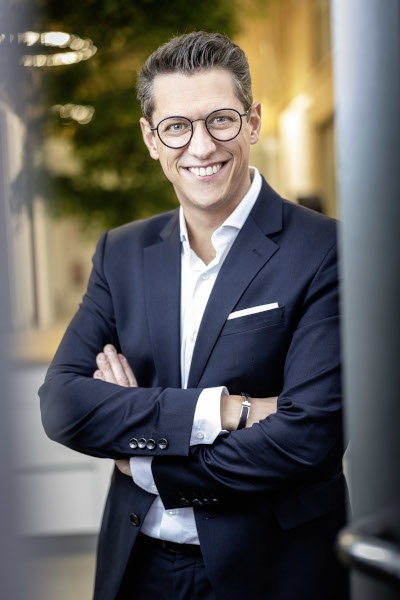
99	418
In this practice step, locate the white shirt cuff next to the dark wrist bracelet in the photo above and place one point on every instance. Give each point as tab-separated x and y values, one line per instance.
207	417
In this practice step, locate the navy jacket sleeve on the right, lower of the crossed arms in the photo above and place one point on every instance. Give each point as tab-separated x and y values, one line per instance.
301	443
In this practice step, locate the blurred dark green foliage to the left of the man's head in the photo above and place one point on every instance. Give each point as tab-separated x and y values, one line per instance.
116	181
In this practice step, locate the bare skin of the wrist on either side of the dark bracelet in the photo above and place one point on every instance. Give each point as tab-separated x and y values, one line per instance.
232	405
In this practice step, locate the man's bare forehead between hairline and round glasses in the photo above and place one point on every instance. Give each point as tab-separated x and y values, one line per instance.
193	95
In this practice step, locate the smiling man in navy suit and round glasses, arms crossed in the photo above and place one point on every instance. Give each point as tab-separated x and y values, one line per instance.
206	314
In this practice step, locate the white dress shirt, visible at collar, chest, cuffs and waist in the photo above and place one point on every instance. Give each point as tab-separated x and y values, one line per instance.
197	281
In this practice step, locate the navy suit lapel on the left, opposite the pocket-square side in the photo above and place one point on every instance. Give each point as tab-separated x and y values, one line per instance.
162	285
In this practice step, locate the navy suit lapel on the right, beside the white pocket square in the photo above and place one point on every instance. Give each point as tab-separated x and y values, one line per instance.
251	250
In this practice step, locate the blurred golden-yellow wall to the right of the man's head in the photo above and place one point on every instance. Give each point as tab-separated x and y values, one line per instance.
289	54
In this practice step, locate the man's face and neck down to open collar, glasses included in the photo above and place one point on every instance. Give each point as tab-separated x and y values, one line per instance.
210	179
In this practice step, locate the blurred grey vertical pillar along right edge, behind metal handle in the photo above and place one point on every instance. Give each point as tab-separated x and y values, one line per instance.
366	36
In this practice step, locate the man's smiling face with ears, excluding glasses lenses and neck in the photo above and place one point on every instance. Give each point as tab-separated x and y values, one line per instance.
195	96
